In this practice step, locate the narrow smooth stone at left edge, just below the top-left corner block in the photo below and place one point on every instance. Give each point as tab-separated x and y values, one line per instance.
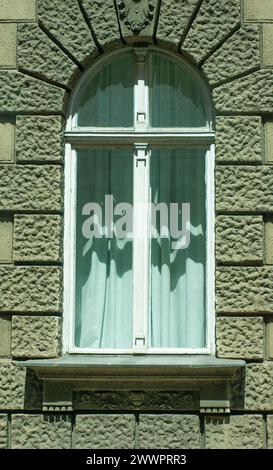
8	45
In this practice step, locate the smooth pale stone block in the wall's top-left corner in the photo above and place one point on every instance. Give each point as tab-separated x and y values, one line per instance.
25	10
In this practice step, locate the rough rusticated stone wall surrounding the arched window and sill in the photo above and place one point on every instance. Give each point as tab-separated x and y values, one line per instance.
45	46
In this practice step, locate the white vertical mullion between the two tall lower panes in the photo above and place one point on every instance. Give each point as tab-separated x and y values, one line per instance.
141	238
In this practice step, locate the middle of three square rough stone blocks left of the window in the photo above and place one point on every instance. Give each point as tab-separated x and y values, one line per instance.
37	238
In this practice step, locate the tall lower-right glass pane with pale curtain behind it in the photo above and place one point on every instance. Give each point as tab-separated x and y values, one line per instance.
178	249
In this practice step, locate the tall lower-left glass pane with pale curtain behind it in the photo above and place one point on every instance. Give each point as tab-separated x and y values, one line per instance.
103	259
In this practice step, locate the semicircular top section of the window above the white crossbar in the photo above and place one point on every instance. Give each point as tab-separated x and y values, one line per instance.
144	88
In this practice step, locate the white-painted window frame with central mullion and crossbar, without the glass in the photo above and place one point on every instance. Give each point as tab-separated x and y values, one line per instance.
140	139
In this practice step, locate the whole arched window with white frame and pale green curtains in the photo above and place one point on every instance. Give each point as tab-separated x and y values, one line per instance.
139	208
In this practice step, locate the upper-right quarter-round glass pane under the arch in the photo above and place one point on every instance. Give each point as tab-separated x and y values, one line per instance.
177	97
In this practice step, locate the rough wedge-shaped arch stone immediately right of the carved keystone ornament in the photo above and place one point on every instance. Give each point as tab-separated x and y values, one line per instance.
174	18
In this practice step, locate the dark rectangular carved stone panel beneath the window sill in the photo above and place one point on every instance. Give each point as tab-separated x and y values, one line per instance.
137	400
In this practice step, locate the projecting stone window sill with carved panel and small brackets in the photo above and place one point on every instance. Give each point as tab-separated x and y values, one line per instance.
137	383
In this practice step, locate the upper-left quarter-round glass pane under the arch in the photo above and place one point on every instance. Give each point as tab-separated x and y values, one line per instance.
108	98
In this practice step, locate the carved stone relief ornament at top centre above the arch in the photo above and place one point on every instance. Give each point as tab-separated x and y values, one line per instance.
136	14
